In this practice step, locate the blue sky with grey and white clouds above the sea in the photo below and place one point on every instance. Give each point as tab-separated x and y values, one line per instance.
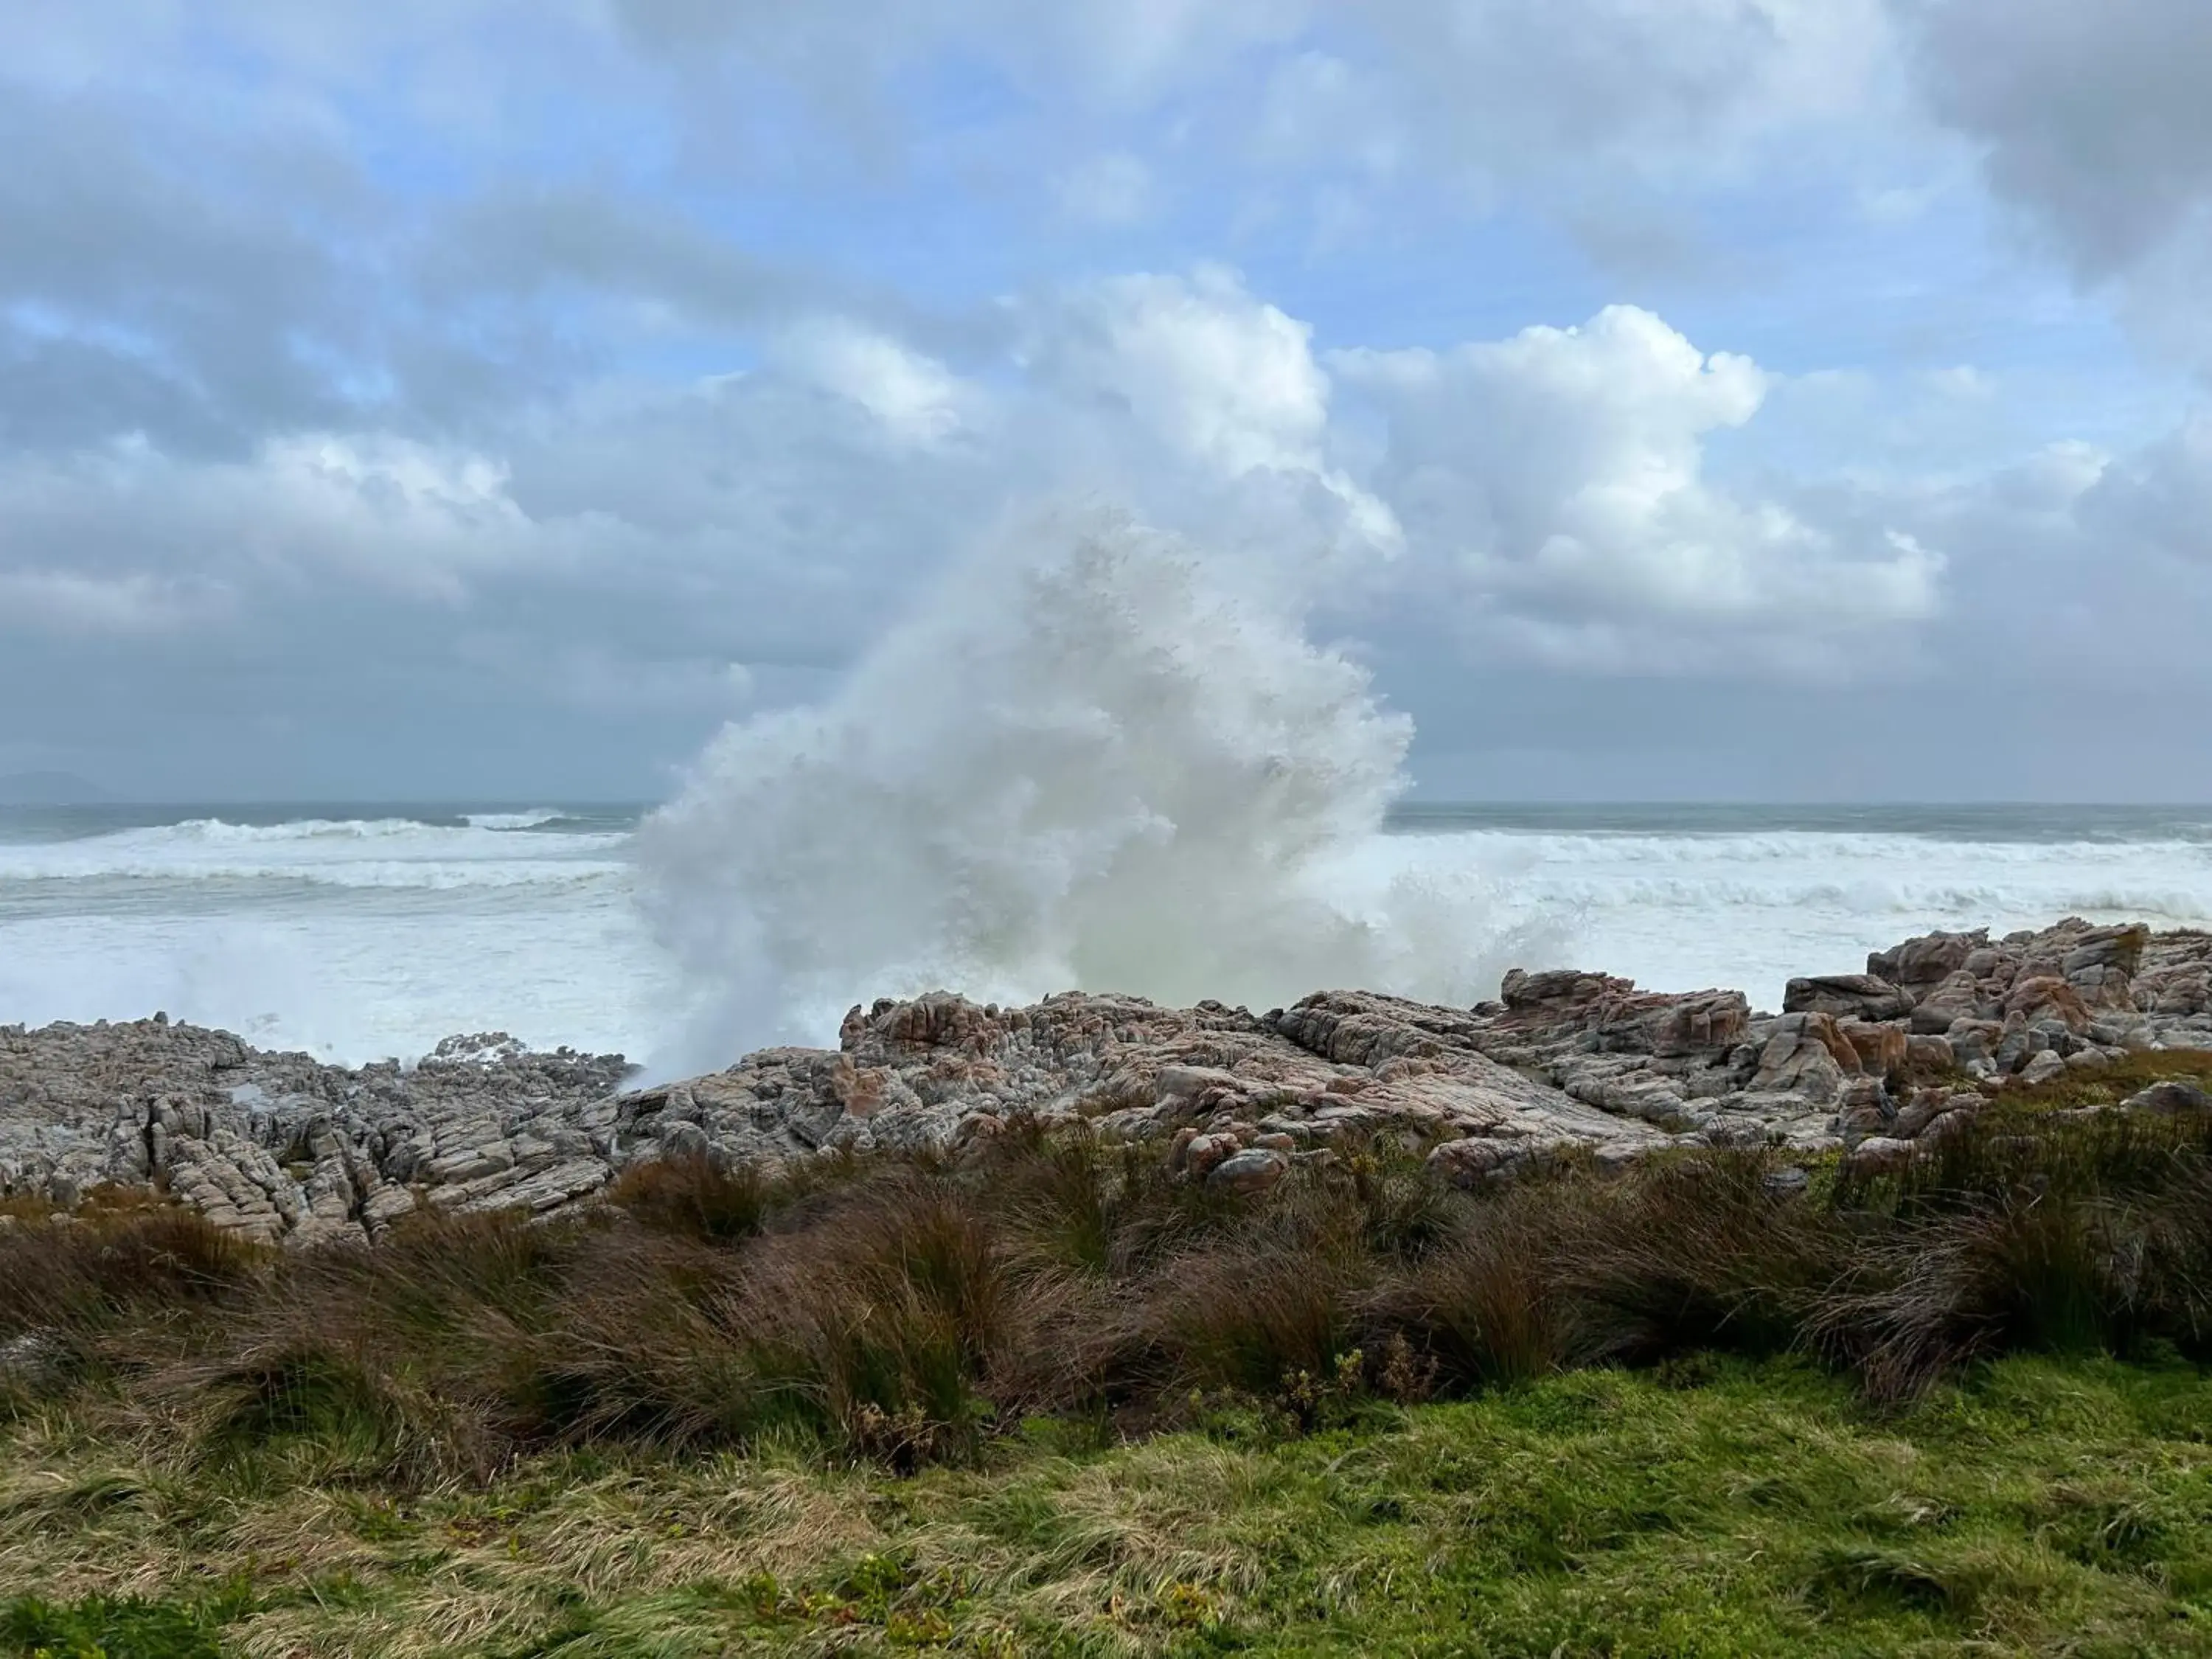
1662	399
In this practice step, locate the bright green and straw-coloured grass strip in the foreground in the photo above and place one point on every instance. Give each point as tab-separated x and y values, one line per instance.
1709	1507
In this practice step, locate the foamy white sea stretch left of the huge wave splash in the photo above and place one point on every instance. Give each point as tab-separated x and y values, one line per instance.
353	939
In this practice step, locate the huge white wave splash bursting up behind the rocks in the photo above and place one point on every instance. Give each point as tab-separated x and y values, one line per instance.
1087	762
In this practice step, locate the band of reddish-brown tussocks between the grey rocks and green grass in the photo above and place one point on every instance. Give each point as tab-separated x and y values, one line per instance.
904	1308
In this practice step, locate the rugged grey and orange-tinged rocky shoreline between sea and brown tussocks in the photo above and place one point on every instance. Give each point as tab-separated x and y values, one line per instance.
1875	1065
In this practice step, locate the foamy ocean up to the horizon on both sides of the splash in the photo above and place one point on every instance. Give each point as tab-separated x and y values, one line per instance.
362	932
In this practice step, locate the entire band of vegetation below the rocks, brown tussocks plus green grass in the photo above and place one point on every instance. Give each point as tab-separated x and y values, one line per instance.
1052	1399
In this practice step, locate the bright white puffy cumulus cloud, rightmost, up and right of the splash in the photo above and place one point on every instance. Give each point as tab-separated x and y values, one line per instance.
1563	472
